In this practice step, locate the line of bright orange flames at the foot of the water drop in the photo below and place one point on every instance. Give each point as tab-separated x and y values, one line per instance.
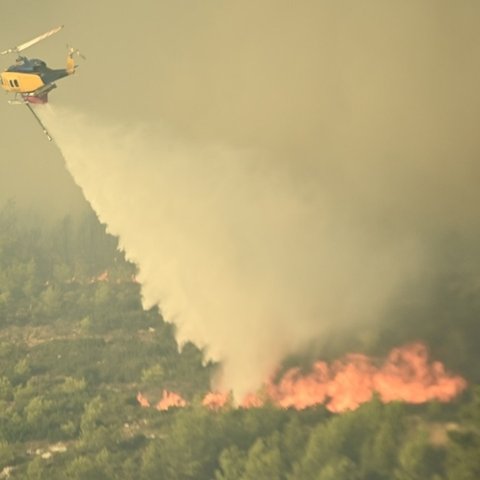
406	375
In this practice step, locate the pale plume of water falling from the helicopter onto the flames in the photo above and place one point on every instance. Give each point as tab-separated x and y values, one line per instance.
245	260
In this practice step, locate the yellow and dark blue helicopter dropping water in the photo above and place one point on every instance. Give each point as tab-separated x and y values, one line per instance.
31	80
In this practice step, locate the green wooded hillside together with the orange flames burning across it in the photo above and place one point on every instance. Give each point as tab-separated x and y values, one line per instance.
72	350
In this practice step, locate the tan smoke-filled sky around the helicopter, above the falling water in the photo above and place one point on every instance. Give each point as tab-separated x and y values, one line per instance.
358	86
